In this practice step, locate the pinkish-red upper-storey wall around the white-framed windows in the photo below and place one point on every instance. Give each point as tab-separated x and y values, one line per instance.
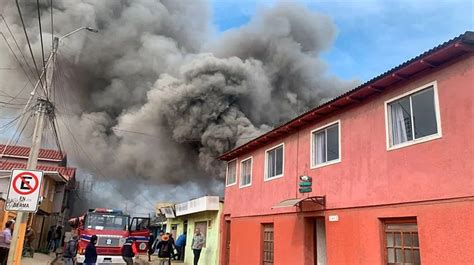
368	174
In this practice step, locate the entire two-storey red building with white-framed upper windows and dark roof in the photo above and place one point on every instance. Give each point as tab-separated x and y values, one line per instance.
392	171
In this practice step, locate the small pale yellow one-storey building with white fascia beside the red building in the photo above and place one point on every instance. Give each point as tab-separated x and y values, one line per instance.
205	214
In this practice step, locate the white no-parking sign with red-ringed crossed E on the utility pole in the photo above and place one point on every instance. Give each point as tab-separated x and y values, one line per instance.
24	190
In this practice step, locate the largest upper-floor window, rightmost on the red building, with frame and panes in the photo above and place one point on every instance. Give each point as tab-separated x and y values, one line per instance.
413	117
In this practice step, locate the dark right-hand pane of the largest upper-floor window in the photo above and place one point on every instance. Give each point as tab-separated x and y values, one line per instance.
424	114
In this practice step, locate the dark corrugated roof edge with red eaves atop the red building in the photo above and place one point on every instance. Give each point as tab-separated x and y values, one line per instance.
411	67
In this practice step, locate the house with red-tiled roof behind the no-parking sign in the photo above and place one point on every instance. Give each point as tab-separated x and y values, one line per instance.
56	194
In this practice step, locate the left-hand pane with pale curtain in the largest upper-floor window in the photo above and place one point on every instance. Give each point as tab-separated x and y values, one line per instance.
400	116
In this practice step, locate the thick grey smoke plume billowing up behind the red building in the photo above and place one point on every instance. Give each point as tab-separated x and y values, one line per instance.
155	69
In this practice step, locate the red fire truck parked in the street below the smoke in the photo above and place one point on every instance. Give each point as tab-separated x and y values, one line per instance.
112	227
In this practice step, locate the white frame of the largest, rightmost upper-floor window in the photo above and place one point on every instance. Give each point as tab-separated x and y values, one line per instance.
388	129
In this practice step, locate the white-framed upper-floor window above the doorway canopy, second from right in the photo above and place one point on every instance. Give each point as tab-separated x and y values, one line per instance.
325	145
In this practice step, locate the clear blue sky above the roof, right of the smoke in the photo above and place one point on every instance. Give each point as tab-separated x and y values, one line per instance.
373	35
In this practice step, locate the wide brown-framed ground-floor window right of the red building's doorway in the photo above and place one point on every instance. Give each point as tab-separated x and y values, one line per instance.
401	242
